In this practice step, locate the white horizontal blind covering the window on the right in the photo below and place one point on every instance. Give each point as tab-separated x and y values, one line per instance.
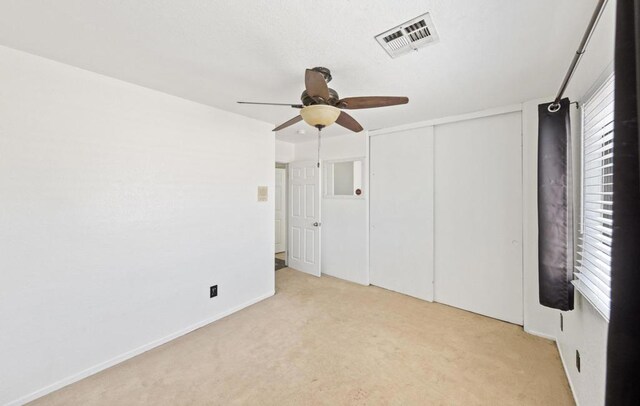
594	255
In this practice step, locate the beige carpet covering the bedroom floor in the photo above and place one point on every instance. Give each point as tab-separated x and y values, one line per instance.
323	341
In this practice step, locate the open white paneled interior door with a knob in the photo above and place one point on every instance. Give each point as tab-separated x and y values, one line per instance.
304	217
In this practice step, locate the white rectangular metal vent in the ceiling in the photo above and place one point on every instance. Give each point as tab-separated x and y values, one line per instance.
415	33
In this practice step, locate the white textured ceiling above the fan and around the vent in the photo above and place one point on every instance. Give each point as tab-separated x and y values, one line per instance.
491	52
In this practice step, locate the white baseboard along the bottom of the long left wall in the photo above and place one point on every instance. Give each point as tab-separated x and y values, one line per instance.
130	354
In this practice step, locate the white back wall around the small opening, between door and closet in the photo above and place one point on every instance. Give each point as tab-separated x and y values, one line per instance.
345	244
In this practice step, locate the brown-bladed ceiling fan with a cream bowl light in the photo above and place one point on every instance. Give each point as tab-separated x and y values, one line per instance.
321	106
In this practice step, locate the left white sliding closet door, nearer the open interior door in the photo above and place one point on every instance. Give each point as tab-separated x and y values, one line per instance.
401	212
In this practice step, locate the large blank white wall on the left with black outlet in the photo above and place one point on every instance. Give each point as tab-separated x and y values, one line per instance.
119	207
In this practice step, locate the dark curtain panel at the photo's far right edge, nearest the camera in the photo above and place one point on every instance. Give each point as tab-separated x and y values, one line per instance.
623	353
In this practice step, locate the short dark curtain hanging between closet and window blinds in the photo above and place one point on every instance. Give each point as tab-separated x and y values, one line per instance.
555	221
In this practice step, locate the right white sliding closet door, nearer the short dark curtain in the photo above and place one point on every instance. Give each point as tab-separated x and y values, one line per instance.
478	211
